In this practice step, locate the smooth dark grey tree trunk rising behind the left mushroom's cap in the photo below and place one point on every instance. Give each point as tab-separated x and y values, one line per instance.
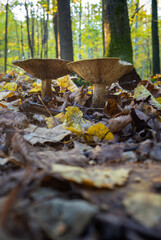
65	30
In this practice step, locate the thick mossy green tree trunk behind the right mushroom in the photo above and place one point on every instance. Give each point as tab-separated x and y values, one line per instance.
117	39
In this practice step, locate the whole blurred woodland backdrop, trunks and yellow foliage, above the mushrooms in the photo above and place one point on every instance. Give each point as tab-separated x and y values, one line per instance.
79	30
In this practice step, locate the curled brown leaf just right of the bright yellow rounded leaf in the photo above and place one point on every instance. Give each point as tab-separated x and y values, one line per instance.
119	123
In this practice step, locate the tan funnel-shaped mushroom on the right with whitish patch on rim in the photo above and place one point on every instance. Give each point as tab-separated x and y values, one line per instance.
100	72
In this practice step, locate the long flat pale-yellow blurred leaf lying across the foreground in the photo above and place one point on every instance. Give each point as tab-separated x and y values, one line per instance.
95	177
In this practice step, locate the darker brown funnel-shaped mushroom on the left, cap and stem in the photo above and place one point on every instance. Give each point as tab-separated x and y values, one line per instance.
46	70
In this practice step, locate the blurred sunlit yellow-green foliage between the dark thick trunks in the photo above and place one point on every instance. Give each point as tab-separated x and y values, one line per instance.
86	17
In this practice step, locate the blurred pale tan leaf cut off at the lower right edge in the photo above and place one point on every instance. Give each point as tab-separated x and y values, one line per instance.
144	207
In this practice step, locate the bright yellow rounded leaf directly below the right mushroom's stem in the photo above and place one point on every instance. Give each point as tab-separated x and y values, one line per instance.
99	130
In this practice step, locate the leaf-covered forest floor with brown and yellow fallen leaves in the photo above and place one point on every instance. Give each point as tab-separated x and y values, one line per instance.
71	171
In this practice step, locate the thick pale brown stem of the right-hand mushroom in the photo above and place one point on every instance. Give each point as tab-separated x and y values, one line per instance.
98	99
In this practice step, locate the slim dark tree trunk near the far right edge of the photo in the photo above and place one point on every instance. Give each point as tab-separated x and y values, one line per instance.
155	39
